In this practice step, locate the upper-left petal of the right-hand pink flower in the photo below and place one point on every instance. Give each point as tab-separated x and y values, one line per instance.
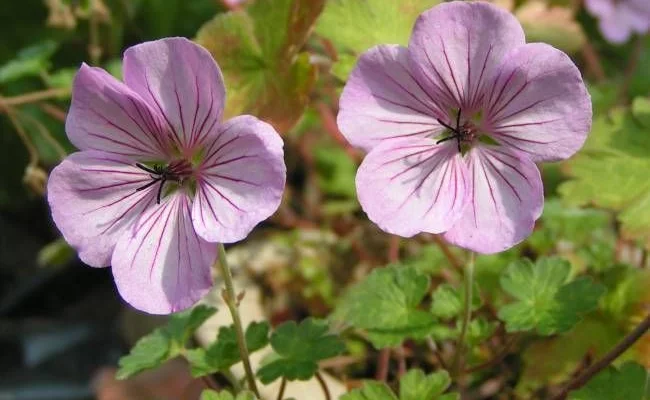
382	100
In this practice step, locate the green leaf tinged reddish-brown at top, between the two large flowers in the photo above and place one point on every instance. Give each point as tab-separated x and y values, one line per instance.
259	53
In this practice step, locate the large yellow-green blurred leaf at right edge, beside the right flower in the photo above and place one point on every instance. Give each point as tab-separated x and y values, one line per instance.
611	171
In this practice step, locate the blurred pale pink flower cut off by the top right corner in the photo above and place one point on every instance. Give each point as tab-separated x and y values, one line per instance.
618	19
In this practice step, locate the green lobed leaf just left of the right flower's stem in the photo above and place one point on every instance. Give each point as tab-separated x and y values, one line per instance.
386	304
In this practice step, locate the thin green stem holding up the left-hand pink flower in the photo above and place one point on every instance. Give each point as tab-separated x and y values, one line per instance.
231	300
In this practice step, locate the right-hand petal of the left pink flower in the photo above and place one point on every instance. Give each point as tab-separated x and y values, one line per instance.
240	181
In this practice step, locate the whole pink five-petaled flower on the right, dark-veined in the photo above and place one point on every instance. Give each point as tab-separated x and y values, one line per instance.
455	123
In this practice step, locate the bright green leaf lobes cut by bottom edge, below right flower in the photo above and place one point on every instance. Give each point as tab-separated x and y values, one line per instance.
414	385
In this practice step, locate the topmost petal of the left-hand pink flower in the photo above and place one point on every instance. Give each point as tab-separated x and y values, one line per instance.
182	81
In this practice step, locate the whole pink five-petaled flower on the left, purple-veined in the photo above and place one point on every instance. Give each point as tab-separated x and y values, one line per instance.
160	177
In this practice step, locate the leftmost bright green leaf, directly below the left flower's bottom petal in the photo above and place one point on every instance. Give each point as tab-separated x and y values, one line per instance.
163	343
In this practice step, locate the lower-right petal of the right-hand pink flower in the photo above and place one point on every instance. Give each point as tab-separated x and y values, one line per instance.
508	197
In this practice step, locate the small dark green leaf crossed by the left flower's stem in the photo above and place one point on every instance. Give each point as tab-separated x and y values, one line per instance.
224	352
